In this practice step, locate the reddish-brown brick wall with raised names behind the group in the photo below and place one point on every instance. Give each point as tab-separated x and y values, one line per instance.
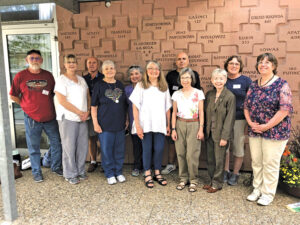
133	31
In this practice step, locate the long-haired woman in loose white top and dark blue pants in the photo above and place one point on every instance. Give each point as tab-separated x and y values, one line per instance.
151	104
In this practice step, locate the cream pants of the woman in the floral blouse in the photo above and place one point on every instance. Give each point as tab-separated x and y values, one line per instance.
266	155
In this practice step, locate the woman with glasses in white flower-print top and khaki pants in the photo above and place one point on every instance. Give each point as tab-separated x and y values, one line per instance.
187	128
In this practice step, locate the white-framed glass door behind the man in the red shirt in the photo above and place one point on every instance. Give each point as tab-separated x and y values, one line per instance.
16	44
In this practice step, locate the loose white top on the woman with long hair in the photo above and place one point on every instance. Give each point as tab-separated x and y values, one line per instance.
152	105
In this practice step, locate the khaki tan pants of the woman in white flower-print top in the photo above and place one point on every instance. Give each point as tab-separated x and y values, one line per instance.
188	149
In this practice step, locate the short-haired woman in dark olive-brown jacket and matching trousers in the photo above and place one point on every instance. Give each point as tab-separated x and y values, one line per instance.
220	116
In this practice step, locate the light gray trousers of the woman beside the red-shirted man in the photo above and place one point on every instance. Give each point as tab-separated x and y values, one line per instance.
74	140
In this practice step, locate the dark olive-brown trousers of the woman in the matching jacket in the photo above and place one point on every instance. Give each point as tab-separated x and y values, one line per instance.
215	162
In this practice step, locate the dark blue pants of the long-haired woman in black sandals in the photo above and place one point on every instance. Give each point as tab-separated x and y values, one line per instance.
158	142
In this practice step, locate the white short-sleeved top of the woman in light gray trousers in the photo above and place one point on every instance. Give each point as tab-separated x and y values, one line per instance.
76	94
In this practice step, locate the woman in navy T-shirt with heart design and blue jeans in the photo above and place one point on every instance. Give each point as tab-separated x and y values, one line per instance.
109	118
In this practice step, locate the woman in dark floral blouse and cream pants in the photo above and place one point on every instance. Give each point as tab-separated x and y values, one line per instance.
268	107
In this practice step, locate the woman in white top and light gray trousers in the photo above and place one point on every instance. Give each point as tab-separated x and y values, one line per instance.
72	112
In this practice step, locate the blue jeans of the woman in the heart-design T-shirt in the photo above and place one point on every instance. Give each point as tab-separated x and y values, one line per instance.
112	152
